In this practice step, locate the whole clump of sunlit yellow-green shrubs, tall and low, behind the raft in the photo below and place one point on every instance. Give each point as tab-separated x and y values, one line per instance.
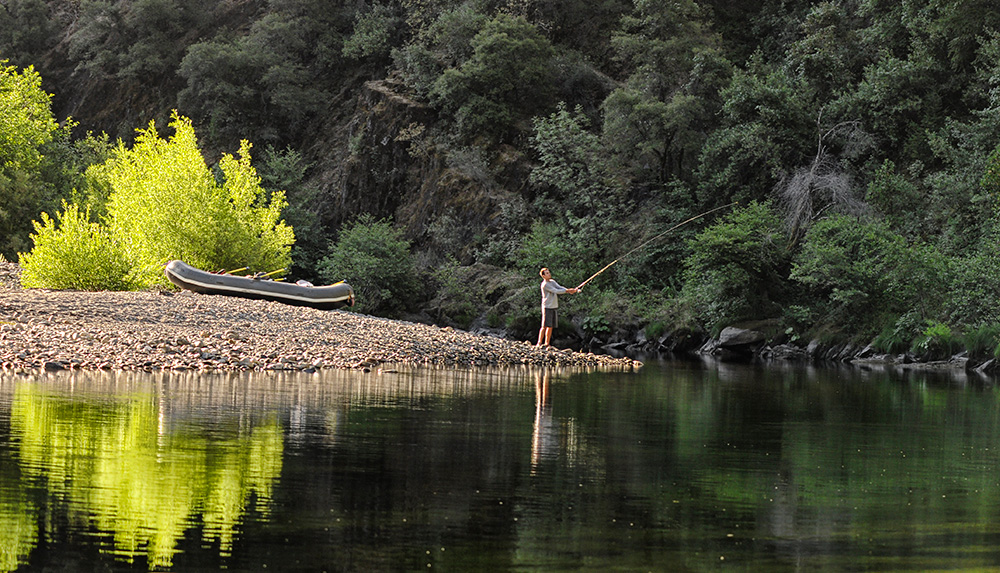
163	203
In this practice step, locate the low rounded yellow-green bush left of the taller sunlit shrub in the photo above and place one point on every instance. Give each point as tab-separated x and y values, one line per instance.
73	253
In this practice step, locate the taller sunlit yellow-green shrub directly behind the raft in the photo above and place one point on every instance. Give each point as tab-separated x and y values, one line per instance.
165	204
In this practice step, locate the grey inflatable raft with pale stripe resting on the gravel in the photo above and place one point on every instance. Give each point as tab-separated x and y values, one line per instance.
322	297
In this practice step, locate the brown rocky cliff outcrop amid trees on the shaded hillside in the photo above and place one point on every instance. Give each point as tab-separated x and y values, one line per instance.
394	162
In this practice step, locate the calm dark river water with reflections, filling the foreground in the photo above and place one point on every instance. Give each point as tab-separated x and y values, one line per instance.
680	467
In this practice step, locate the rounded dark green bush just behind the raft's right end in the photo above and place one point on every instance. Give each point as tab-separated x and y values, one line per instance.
375	259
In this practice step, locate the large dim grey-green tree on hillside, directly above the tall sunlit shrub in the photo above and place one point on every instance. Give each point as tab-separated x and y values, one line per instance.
269	83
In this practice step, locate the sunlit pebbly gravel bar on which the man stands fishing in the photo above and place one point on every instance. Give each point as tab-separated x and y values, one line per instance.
166	330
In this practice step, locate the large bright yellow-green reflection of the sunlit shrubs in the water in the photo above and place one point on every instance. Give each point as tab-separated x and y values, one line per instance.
119	470
